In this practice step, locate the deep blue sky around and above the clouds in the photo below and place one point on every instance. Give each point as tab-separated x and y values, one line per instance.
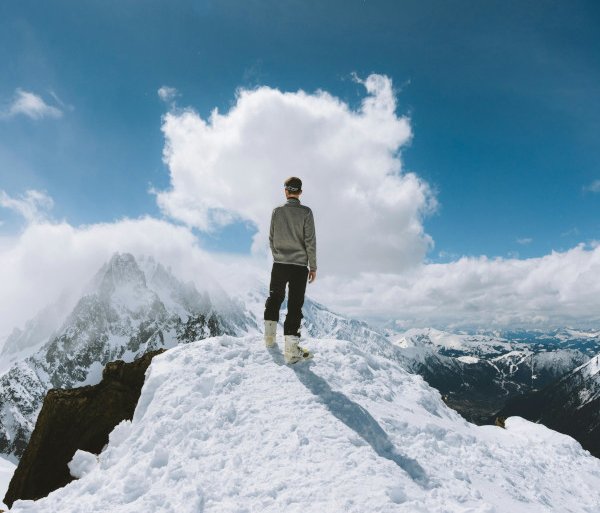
503	98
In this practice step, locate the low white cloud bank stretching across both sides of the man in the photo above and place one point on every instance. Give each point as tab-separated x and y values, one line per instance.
49	259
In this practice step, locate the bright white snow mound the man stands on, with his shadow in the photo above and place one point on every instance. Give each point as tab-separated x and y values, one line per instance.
223	425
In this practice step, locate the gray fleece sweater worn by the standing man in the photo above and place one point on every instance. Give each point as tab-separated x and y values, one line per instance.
292	236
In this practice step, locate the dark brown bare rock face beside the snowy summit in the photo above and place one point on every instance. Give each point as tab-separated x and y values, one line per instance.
78	418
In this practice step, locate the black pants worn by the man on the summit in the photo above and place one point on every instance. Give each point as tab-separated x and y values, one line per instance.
296	276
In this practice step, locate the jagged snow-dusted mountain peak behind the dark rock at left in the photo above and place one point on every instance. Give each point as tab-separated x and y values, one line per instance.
131	306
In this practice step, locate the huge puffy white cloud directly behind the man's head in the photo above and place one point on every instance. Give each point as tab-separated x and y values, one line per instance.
231	167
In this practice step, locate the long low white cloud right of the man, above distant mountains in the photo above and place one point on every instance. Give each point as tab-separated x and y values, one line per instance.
556	289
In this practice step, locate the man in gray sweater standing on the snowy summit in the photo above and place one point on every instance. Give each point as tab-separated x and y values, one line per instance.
294	246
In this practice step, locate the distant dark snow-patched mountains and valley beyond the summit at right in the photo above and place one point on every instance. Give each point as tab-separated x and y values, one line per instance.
479	373
